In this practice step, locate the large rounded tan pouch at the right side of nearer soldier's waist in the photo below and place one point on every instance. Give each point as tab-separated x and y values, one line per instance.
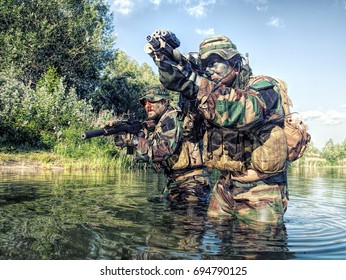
270	149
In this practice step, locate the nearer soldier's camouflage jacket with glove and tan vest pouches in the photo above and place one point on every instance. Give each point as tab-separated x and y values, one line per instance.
239	120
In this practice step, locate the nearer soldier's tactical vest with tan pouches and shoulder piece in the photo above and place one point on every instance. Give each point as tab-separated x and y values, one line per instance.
262	147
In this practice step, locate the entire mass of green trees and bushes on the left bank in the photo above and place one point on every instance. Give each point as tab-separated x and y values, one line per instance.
55	55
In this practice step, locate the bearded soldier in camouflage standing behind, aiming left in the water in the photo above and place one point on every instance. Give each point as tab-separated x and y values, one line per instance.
165	142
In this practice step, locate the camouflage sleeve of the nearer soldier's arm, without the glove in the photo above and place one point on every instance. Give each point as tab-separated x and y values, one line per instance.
237	108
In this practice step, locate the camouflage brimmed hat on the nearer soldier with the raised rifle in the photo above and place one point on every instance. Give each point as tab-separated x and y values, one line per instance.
220	45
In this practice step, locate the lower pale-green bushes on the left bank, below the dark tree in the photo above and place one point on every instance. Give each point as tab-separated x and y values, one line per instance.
37	117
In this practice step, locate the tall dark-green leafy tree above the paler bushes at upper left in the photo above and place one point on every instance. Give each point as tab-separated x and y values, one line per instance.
74	37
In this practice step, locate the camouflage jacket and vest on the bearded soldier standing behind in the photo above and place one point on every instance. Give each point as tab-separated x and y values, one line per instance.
166	148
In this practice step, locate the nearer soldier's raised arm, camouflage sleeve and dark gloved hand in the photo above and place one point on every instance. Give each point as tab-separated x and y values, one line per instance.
218	104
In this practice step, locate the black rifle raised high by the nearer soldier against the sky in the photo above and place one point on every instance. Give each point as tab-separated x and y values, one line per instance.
165	42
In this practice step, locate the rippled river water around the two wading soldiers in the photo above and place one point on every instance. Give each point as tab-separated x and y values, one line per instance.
63	215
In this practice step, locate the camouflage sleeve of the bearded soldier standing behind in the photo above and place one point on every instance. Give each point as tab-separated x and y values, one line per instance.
163	142
